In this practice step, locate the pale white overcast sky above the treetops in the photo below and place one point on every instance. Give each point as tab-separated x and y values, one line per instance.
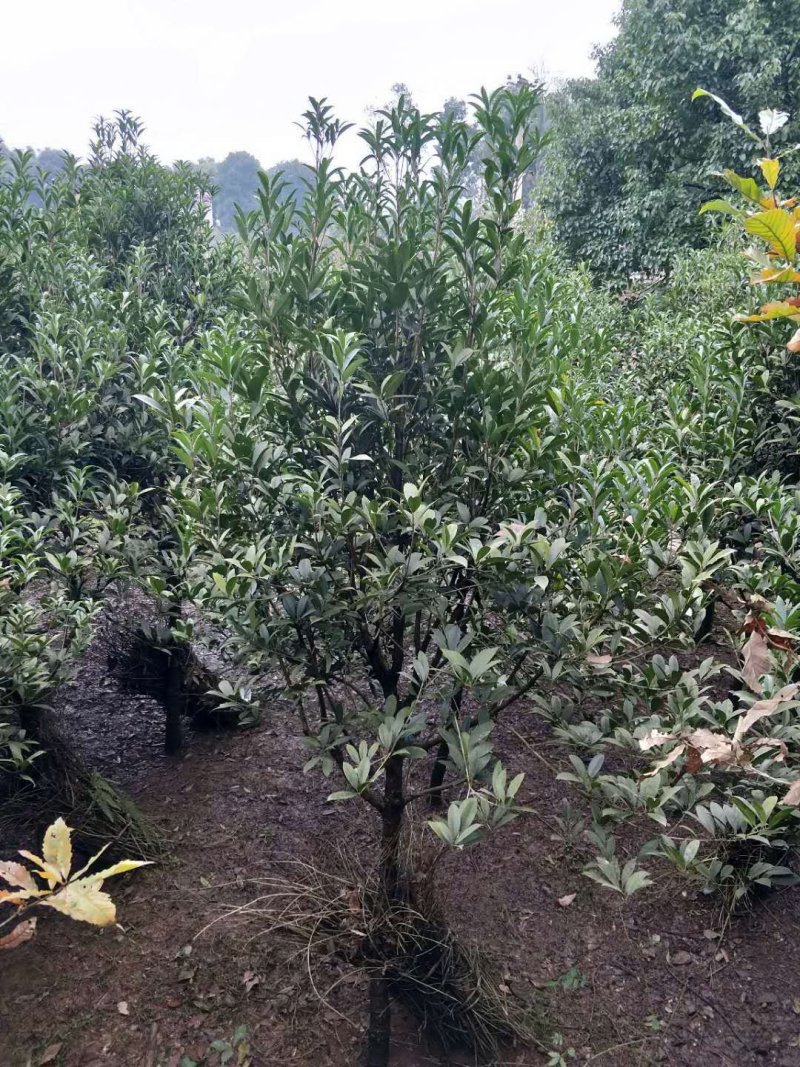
211	77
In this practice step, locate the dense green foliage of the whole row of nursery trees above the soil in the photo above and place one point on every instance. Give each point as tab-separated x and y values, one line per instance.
412	471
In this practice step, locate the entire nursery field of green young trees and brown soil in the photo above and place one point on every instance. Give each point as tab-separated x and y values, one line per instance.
410	618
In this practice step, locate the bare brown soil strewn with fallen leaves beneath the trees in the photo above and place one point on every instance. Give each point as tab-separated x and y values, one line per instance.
655	980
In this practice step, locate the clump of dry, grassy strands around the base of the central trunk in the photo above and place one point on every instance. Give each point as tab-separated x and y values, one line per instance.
453	989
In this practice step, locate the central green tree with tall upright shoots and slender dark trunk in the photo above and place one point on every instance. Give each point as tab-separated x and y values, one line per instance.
366	475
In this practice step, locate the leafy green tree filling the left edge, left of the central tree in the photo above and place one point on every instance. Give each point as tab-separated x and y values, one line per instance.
109	270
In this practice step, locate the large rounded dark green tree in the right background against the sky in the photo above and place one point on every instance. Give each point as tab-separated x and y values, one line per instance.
632	160
